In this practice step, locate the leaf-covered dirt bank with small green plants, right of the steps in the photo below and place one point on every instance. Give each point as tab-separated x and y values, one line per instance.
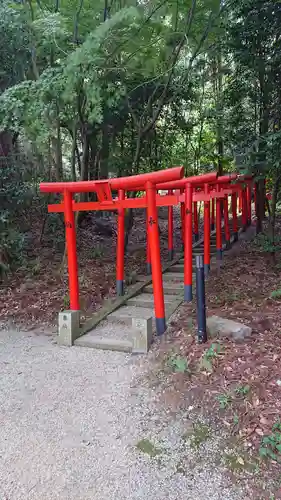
234	387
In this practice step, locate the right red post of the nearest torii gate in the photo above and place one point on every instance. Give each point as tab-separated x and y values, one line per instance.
154	243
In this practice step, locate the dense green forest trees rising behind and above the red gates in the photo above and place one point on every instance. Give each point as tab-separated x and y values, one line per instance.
119	87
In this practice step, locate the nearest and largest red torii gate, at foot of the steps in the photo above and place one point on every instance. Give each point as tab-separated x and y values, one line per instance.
103	189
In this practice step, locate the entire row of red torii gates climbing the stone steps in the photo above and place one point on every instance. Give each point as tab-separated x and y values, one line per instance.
112	194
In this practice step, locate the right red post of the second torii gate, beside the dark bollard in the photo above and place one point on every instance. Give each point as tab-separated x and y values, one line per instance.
188	244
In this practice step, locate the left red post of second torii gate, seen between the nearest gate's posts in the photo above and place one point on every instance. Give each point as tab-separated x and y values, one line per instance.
120	246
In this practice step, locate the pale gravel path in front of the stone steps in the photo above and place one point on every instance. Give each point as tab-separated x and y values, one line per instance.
70	422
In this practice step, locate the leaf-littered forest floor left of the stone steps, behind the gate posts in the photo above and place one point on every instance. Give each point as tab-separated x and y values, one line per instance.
38	290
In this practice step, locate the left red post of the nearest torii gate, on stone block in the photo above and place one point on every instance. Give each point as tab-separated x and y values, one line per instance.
70	234
